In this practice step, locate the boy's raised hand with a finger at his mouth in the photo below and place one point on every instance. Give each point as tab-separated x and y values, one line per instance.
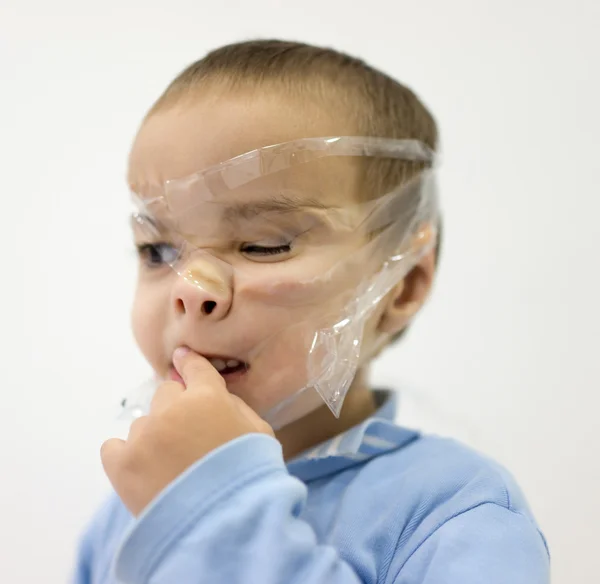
183	426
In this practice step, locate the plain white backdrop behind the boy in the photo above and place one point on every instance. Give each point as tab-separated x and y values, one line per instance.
505	356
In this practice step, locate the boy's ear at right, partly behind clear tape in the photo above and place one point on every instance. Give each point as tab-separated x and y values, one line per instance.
408	296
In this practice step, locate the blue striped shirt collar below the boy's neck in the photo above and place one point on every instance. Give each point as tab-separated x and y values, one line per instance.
373	437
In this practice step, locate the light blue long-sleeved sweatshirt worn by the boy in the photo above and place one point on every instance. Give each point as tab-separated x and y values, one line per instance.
377	504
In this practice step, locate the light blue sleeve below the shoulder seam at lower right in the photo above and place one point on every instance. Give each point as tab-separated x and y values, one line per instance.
488	544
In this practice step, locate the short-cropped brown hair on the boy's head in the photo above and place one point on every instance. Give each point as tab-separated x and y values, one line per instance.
375	103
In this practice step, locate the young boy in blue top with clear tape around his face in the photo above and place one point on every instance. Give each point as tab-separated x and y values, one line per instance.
286	222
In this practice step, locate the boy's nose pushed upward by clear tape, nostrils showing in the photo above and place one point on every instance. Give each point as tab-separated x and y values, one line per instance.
204	289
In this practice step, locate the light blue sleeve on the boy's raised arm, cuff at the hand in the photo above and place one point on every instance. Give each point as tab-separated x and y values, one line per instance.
232	517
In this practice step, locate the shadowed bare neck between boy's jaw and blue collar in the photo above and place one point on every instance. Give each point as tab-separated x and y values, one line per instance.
321	425
